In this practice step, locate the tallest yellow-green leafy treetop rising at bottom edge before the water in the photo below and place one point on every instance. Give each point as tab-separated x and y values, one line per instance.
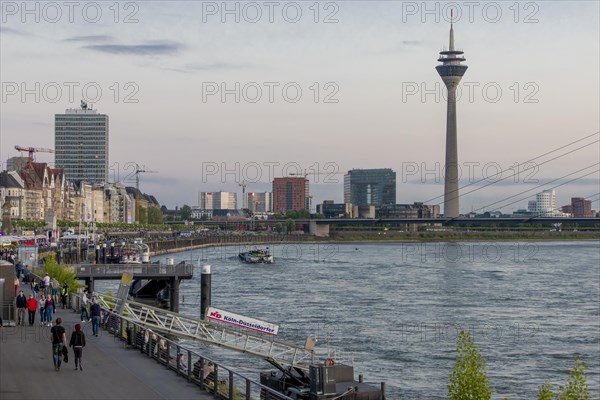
469	379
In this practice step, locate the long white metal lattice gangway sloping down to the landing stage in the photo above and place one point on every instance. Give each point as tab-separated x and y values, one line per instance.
279	353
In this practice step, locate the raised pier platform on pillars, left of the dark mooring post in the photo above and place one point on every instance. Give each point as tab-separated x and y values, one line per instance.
172	275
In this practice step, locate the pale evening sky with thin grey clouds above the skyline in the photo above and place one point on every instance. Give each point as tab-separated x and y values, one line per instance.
210	94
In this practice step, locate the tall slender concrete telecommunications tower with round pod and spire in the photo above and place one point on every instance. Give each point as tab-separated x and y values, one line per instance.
451	70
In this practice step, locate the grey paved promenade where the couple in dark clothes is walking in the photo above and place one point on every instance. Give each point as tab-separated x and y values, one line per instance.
109	370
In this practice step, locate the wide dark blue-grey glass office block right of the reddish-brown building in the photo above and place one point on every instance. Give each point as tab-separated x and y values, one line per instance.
370	187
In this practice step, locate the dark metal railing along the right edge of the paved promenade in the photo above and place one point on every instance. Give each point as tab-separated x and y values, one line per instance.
203	371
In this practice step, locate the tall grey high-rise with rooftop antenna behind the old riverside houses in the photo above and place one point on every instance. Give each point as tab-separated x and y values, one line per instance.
81	144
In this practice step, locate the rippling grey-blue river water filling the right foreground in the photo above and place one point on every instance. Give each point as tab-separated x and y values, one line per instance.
532	307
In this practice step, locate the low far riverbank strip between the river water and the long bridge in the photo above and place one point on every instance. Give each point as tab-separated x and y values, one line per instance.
179	245
